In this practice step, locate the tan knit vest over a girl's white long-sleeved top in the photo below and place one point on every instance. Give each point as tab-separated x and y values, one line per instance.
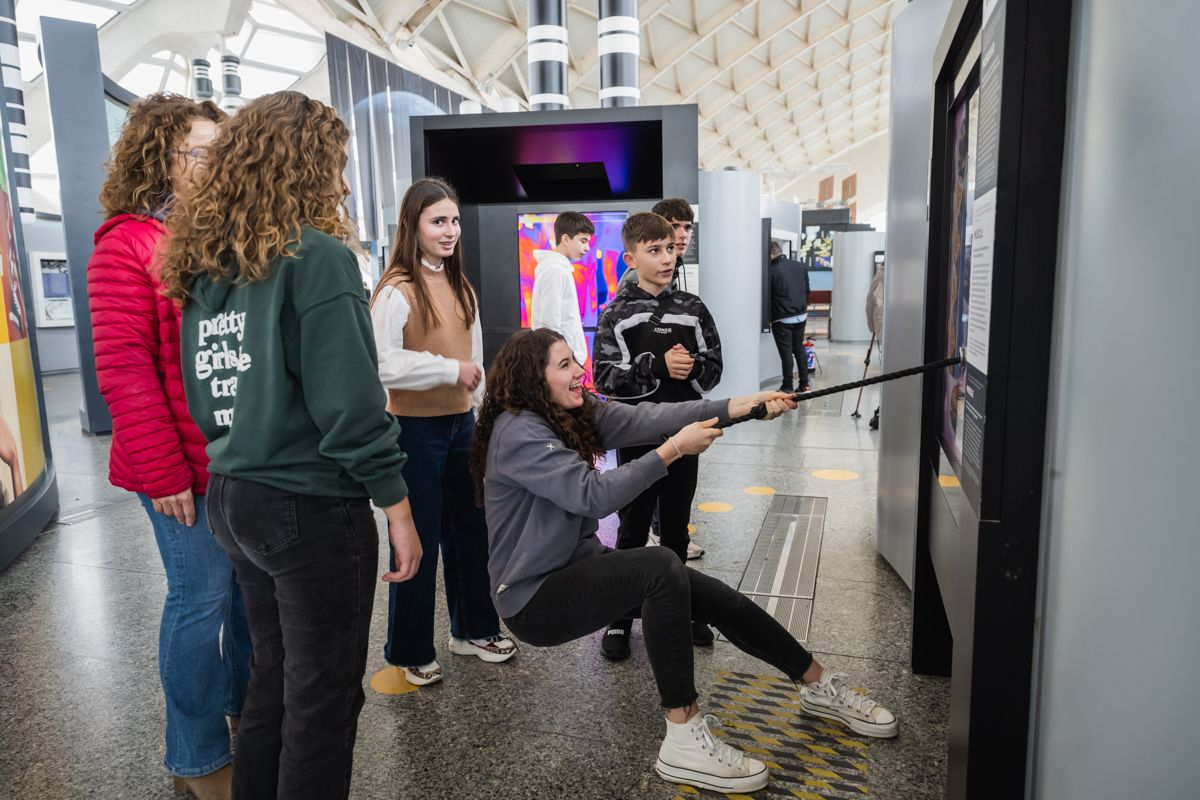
451	339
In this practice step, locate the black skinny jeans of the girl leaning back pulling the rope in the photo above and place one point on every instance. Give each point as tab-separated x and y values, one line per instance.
653	584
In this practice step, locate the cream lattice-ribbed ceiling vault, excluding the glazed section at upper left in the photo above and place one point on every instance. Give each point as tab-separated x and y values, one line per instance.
783	87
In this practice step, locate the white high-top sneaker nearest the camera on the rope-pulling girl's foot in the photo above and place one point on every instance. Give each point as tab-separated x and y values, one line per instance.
692	755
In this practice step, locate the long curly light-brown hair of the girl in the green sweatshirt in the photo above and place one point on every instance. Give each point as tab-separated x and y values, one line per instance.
275	170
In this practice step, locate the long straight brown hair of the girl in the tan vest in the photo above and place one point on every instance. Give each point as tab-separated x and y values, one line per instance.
405	264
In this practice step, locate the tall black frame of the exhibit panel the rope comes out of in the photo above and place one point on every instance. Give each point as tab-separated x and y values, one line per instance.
995	582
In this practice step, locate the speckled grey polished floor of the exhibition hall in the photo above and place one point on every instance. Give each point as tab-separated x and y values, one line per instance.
82	714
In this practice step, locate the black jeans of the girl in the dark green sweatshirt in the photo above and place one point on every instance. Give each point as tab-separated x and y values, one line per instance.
307	567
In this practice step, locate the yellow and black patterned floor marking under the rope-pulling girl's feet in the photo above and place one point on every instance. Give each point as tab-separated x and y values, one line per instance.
809	759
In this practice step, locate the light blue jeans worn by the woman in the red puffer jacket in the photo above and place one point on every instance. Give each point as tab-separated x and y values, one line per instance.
203	643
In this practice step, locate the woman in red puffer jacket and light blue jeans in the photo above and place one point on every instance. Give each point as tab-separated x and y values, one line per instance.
158	452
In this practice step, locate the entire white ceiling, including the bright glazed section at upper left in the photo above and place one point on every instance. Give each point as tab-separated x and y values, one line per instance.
784	88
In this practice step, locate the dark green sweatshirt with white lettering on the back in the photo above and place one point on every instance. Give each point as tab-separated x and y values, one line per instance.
283	378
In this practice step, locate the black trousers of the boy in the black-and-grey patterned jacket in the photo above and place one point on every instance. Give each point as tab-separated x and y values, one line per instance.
671	496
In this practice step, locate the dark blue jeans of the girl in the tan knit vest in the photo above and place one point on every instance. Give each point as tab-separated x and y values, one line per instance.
443	498
